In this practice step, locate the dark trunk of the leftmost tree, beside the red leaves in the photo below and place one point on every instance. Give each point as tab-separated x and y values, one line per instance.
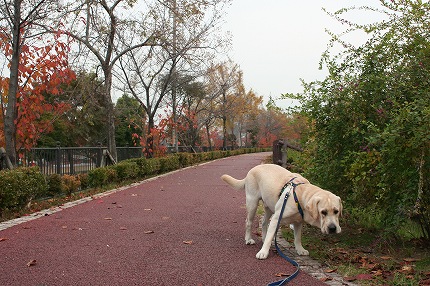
11	110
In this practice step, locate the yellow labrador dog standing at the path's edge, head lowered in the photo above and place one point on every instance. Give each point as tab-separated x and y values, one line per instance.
264	182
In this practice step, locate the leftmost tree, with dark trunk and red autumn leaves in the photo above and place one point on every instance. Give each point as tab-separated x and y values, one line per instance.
21	35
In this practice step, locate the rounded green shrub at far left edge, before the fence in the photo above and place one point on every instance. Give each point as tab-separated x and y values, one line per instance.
19	186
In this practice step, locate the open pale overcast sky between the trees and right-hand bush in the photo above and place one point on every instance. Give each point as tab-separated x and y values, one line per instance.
277	42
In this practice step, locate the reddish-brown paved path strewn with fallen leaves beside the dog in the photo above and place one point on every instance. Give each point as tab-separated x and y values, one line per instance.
184	228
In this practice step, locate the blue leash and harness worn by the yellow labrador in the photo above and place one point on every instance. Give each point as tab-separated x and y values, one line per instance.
293	262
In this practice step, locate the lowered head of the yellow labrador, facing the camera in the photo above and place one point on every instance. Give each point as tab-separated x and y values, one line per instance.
326	208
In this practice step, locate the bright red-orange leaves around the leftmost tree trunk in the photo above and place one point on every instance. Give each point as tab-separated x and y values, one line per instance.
42	71
